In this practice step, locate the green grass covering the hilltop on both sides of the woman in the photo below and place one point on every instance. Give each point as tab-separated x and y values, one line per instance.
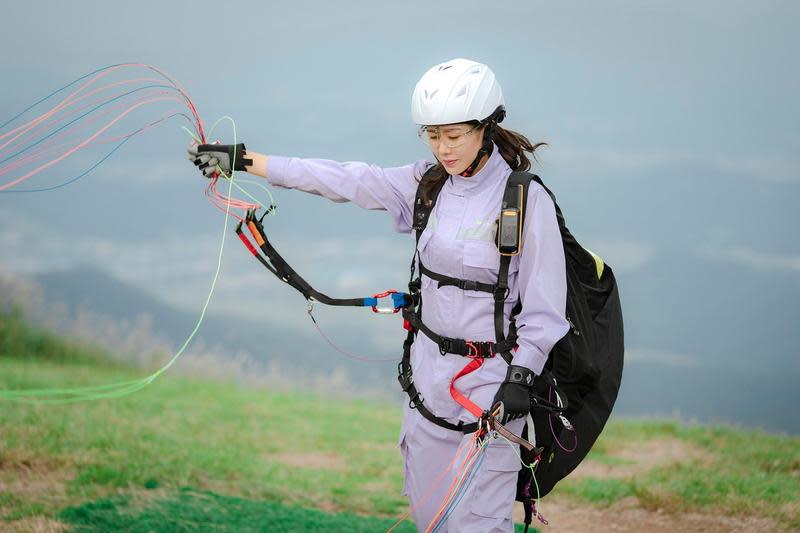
270	453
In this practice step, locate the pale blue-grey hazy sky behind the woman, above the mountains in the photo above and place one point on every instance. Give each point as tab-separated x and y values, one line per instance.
673	132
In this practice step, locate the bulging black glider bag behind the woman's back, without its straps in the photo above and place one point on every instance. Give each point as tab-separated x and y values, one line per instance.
586	364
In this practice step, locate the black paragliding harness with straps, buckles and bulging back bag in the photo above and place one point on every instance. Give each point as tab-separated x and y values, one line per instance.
582	375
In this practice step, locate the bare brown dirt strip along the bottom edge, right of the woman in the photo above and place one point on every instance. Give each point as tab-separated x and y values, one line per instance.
626	515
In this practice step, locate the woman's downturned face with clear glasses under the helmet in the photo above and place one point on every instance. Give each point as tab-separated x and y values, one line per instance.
454	145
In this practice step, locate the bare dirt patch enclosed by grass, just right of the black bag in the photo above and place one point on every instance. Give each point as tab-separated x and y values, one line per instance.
638	460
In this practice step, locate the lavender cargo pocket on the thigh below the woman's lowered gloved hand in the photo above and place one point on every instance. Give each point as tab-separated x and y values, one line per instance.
496	483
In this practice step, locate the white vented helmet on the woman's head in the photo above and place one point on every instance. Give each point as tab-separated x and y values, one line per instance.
459	90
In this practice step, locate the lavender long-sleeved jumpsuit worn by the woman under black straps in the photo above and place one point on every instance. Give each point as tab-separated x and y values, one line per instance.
459	242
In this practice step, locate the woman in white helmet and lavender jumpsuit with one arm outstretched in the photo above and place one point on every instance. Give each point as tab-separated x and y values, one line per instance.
458	105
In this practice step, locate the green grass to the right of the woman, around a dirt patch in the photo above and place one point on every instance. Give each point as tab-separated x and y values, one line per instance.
739	472
